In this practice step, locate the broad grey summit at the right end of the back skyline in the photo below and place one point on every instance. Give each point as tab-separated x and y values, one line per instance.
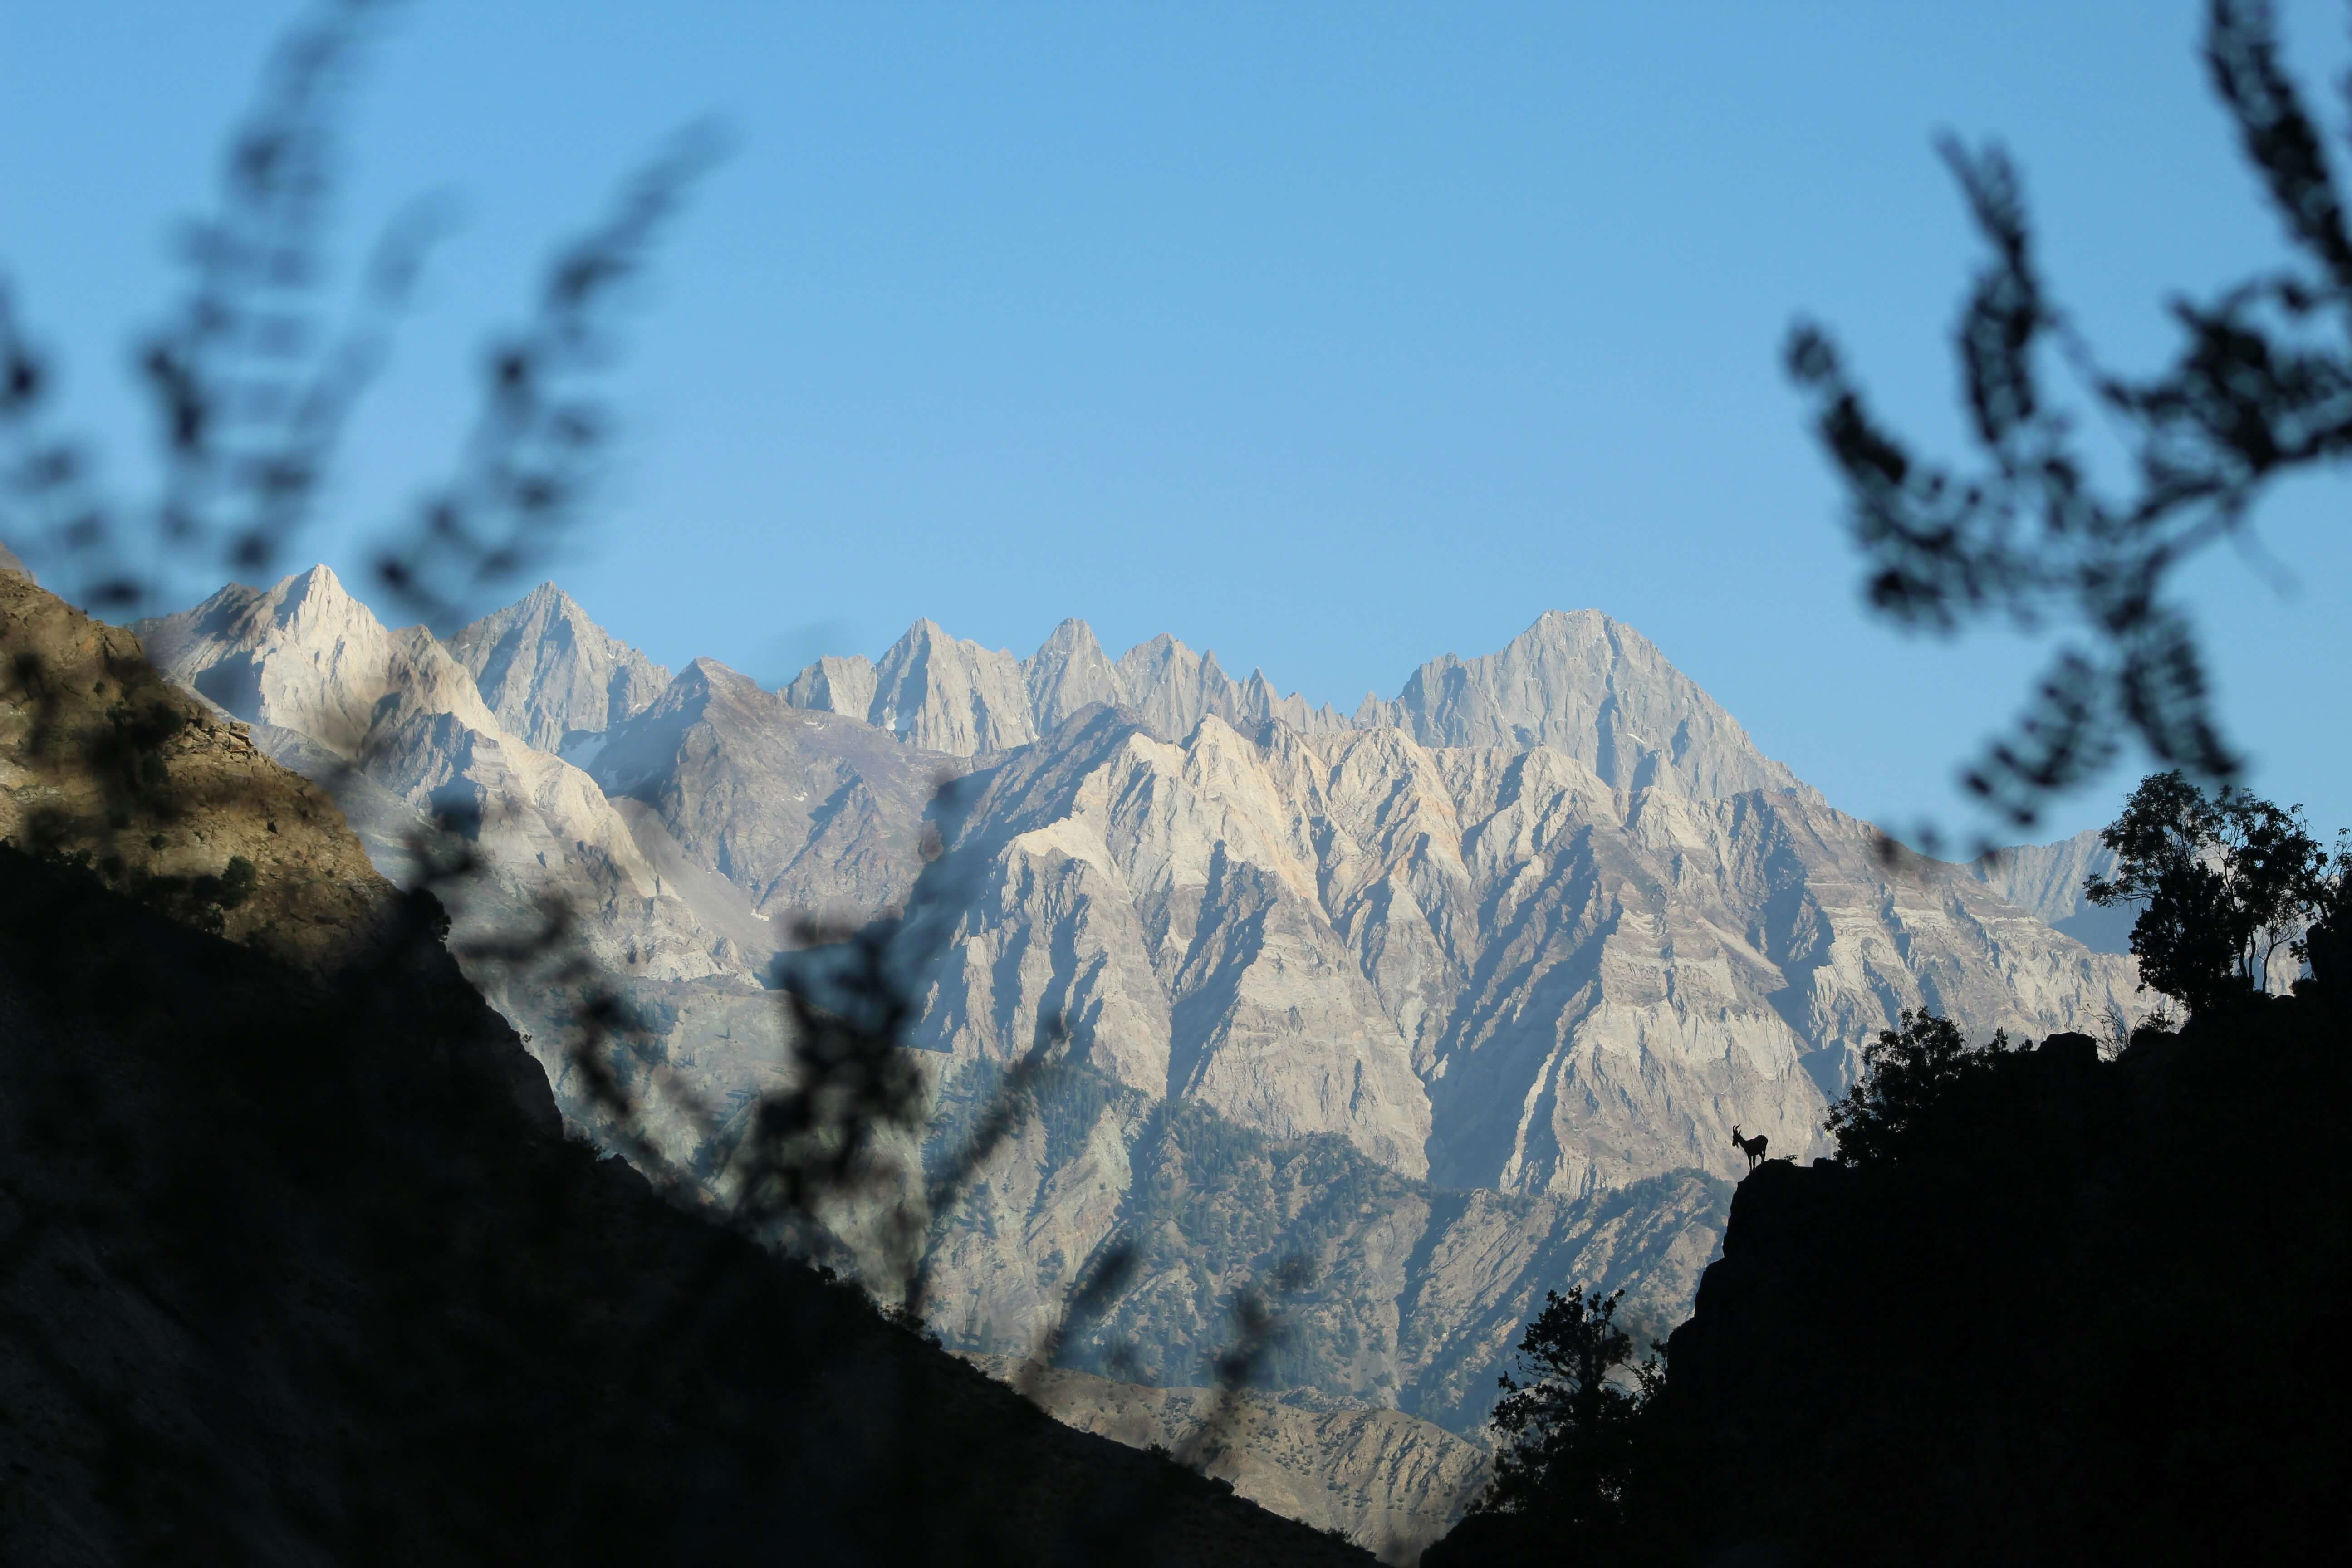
1596	690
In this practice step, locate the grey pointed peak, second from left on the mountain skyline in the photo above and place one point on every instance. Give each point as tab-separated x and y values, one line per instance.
552	674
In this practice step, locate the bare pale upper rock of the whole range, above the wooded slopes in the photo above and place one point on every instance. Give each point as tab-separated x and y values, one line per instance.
1549	923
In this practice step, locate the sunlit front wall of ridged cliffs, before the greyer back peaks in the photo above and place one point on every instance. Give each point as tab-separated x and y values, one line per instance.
1485	956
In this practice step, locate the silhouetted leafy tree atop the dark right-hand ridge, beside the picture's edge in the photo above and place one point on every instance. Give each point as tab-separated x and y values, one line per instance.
2226	878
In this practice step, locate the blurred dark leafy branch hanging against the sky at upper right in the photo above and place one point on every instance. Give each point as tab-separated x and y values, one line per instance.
2259	389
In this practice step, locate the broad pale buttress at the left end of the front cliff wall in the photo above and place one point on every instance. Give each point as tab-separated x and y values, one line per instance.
1161	902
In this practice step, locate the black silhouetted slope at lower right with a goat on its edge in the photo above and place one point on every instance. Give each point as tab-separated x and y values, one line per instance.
2076	1313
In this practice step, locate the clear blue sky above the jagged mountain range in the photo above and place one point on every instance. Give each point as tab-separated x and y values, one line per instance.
1330	337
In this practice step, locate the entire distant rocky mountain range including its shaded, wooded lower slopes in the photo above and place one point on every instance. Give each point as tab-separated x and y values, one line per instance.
1469	989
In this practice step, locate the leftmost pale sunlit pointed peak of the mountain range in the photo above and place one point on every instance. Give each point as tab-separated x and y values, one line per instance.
307	657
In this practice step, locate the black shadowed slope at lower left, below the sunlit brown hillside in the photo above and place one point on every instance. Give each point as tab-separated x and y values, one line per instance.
305	1273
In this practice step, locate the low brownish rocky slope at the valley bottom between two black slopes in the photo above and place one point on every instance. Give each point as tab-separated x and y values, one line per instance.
1379	1477
